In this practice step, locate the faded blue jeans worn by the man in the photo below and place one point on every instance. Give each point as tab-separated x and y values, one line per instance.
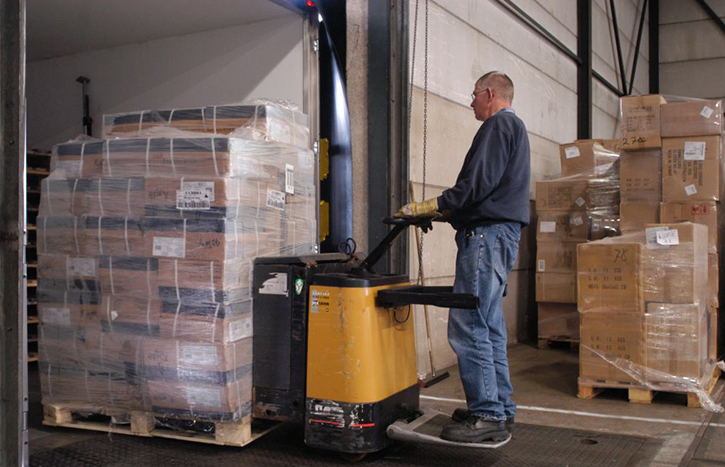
486	255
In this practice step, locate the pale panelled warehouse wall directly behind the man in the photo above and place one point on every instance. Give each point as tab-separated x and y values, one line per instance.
466	39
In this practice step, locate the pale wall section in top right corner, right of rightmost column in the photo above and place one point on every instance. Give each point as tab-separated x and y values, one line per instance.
692	50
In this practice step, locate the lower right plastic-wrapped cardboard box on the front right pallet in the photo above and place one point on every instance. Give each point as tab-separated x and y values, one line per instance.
676	337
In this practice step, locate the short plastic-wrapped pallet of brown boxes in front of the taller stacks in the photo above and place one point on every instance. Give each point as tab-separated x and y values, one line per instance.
642	300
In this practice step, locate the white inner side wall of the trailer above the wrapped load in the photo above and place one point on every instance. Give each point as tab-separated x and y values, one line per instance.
261	60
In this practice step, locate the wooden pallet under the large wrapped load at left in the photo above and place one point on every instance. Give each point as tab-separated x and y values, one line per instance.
238	433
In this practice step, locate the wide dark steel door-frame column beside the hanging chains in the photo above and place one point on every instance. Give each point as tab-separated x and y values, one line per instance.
387	124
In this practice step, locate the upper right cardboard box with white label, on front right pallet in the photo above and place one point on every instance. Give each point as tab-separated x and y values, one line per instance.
676	272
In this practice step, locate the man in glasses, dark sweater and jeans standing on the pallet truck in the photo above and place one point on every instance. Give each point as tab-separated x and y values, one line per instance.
488	206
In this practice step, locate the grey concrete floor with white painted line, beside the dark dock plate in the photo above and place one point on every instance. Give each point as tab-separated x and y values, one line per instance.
545	385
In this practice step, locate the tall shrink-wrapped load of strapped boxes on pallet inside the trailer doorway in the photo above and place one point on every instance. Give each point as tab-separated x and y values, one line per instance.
146	241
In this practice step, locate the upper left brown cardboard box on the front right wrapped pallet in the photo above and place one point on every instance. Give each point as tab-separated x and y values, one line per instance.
610	277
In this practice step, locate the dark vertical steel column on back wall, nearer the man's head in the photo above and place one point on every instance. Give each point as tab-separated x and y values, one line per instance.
584	73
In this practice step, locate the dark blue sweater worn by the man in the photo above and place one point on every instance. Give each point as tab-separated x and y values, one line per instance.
493	185
